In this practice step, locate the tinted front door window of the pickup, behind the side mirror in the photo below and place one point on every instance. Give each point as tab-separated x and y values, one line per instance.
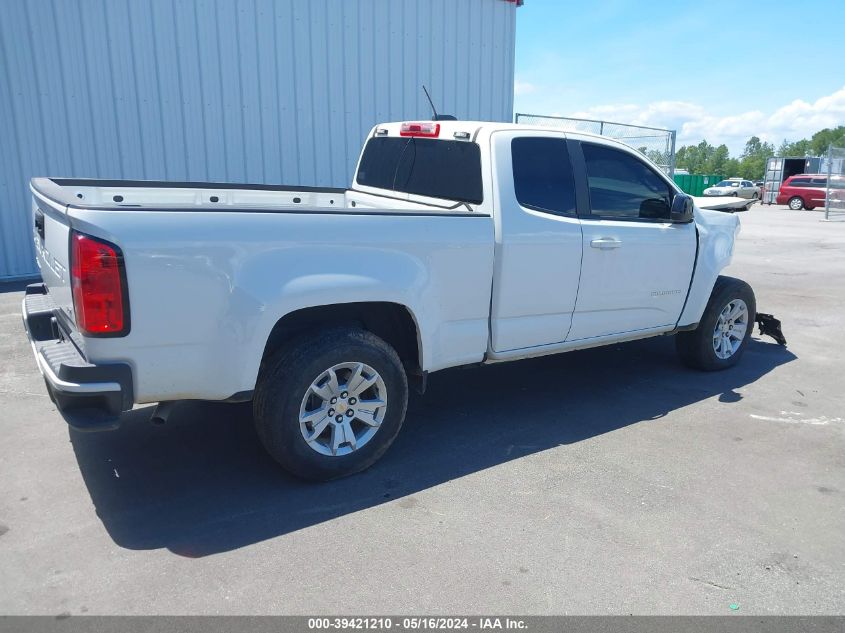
623	187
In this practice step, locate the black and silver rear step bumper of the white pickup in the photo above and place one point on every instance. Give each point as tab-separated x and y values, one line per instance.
90	397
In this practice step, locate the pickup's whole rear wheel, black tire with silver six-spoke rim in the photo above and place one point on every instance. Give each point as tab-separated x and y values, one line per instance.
331	403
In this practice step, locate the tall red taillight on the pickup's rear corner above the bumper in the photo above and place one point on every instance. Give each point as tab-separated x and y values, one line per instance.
99	287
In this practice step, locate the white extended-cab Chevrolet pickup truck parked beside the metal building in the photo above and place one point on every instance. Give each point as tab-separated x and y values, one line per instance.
459	242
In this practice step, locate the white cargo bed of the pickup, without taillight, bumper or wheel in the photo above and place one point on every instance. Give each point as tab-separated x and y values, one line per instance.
208	280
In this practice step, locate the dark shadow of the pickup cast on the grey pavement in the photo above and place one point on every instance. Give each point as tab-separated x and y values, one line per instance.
202	484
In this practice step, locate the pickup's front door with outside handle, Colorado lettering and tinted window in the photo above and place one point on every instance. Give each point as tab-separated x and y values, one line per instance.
637	265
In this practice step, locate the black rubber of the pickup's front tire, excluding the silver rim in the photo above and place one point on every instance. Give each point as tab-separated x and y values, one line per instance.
696	346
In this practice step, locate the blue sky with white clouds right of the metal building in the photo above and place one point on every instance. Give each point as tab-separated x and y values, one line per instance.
723	71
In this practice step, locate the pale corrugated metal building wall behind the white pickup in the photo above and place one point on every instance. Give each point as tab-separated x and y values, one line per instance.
259	91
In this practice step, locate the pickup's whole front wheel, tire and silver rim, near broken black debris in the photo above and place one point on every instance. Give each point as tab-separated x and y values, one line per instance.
724	330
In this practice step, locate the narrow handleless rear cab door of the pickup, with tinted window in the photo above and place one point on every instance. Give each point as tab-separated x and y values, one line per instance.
538	240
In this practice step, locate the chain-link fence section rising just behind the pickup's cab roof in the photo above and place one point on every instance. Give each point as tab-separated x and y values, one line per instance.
657	144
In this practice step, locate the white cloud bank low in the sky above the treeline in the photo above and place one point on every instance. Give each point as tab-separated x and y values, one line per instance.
793	121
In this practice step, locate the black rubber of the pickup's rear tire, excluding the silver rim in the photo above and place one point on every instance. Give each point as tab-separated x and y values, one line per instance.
286	377
